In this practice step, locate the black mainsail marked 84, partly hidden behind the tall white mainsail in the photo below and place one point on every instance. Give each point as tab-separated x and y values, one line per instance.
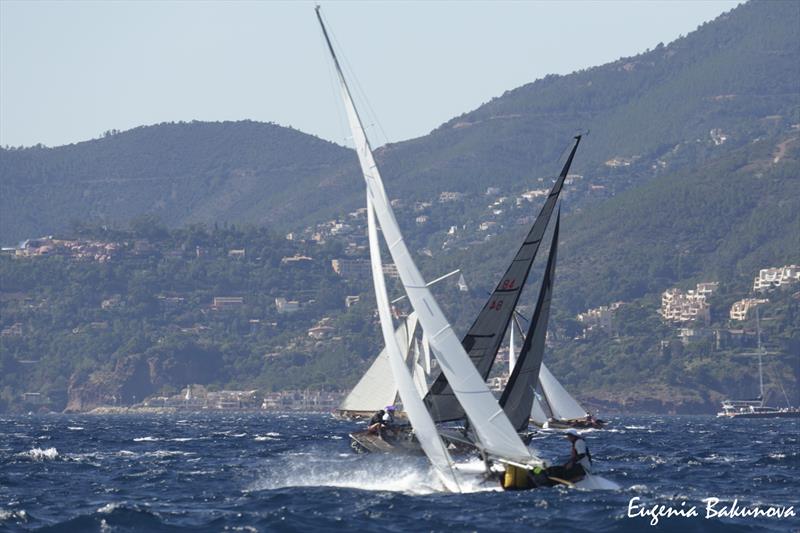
483	339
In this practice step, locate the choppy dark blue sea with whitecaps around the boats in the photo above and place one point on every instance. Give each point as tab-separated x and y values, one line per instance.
256	472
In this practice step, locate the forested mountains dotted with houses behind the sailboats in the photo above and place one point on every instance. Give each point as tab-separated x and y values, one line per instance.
691	173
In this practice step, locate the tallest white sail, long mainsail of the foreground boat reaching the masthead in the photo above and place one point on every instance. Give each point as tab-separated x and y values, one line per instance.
492	427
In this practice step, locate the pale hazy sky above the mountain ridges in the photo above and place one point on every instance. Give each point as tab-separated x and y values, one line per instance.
71	70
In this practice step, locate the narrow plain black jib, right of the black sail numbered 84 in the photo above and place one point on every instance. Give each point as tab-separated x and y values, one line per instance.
518	396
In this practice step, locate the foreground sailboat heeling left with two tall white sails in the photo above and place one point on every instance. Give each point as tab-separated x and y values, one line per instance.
493	433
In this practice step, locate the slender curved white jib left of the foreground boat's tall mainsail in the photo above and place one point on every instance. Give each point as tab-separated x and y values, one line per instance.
418	416
